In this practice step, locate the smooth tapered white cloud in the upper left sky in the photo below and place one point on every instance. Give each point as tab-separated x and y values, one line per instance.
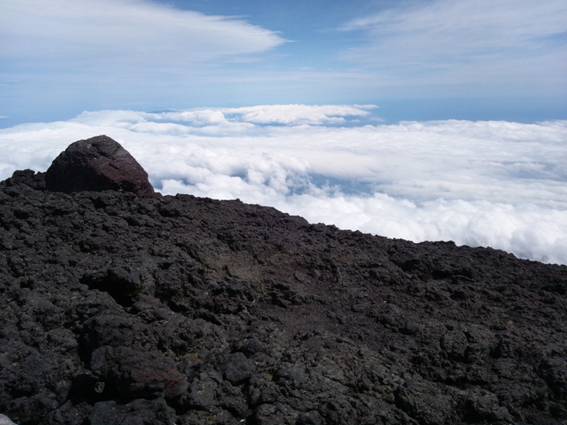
113	33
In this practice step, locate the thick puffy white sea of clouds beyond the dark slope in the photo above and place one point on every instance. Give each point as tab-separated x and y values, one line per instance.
488	183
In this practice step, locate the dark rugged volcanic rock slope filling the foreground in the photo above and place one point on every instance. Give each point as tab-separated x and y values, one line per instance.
125	307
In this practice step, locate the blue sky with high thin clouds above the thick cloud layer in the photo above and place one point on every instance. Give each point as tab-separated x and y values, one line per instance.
421	59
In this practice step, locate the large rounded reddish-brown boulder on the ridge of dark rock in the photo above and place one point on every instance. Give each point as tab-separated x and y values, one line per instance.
98	163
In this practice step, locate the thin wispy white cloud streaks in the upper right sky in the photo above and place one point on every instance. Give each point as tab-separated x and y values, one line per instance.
516	45
